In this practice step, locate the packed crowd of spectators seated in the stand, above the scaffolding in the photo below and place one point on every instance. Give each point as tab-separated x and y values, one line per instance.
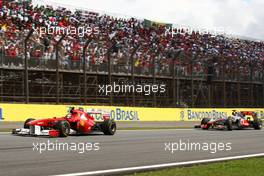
17	18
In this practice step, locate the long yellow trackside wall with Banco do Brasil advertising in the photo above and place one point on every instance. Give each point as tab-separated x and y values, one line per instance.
20	112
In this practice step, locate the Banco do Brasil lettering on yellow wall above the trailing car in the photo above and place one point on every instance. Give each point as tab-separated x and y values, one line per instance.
198	115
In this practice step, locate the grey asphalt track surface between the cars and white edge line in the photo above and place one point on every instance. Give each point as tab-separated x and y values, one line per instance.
125	149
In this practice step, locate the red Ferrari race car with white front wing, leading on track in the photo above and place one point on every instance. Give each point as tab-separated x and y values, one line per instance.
75	122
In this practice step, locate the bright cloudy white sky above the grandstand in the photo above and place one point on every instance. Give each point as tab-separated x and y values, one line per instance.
239	17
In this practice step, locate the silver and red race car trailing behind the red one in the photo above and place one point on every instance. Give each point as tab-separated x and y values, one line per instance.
238	120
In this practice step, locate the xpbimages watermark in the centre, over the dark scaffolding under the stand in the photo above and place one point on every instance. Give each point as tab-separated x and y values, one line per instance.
146	89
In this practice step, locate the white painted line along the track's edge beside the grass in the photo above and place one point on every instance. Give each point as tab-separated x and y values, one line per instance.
159	166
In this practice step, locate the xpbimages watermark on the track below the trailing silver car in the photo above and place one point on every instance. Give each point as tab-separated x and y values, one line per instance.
187	145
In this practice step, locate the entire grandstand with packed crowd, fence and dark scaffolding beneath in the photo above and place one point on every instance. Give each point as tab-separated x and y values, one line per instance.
199	70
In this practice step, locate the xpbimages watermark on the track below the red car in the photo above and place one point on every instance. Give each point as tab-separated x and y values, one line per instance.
80	147
